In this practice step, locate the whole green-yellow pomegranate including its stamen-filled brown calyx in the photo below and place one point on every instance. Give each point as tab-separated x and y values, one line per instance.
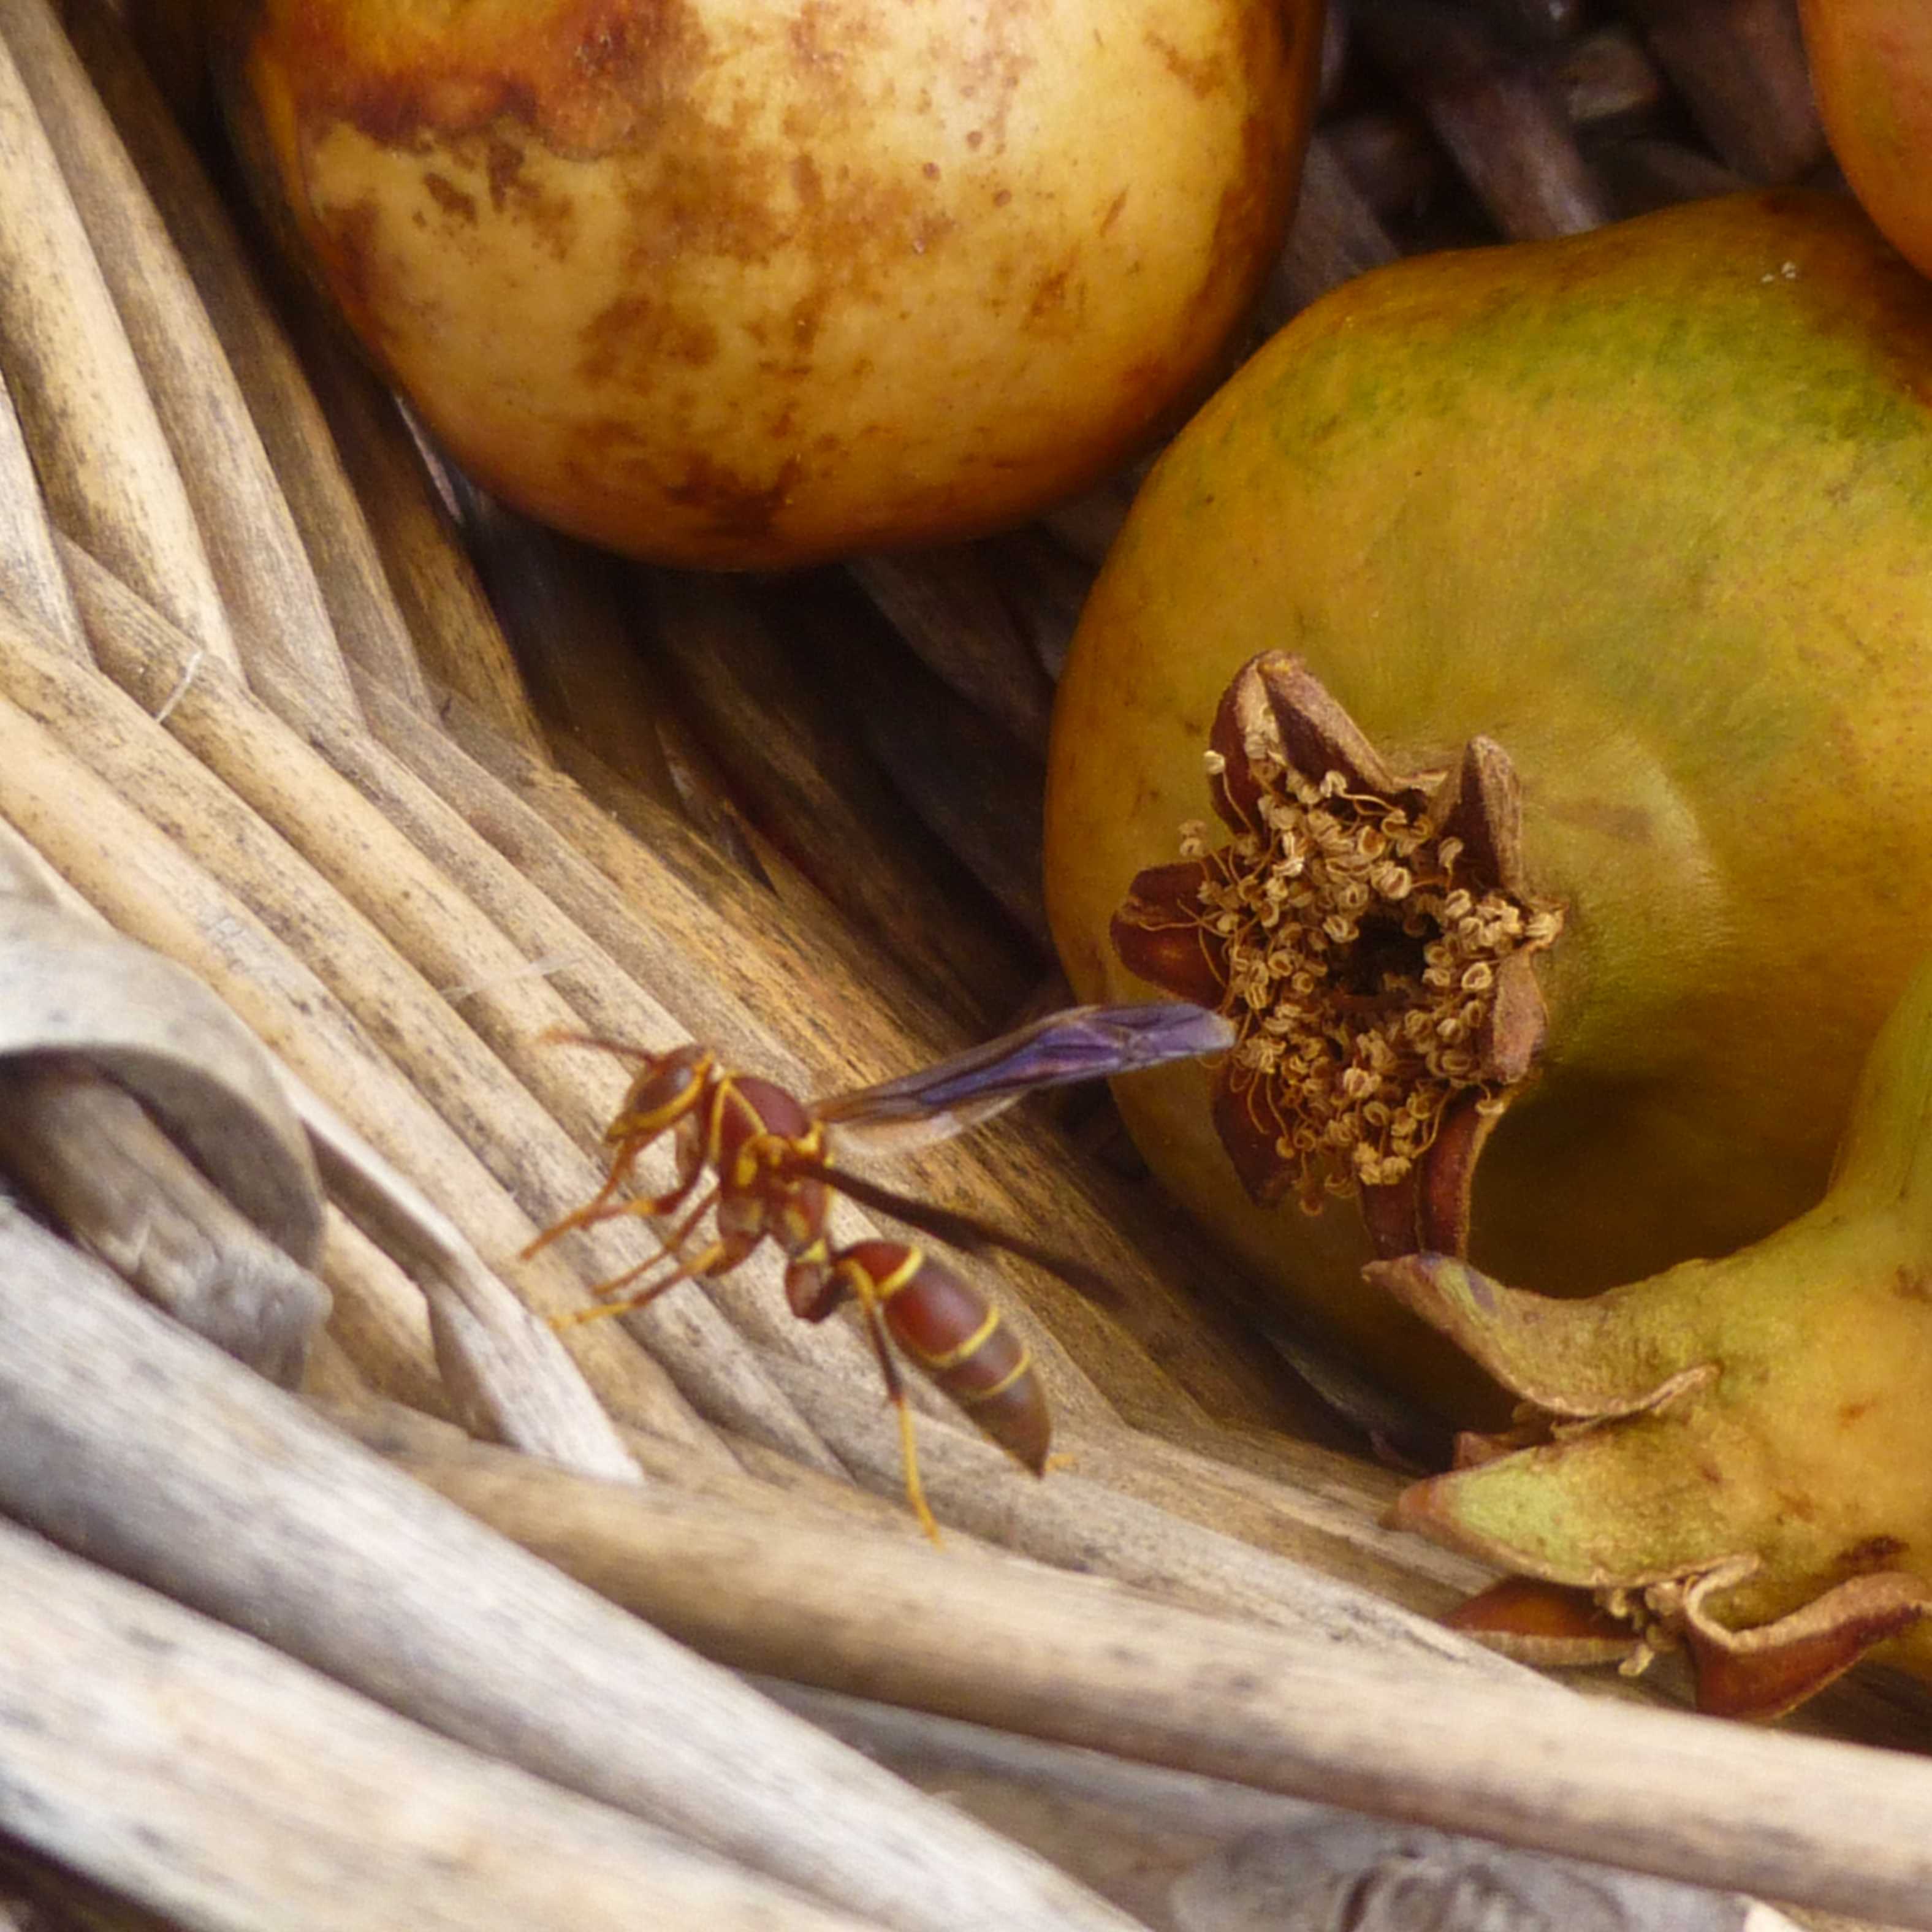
1512	700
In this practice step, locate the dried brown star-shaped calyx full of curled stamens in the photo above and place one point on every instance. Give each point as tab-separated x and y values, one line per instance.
1371	936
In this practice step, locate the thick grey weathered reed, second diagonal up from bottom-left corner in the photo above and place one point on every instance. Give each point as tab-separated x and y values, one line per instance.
208	1483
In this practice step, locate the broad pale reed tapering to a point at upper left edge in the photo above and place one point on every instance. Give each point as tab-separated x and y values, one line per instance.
99	451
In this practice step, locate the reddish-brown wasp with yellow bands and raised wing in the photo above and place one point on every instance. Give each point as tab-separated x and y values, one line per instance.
770	1179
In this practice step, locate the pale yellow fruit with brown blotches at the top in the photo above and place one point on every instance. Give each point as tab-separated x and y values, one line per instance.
739	283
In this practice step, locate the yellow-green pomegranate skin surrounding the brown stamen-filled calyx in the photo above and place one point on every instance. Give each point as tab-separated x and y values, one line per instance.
1649	509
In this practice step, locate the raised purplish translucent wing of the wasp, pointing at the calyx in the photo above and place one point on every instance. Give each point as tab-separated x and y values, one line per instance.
1079	1044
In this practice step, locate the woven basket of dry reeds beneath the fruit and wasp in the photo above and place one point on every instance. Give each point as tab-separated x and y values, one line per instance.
443	1632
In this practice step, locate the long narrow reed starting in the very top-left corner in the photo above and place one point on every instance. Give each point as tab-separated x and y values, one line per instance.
262	569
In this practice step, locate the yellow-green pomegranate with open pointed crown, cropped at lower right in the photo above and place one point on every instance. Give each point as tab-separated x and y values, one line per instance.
1730	1456
